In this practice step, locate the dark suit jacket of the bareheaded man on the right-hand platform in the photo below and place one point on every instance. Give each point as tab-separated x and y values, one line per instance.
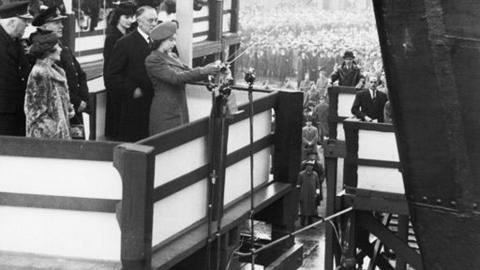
364	105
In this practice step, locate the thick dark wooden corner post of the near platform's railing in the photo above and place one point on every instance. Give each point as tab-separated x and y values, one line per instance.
135	164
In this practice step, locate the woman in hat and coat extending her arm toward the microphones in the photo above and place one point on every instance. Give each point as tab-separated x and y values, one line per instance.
168	76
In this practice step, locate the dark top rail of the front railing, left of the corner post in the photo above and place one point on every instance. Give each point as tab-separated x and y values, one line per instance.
51	148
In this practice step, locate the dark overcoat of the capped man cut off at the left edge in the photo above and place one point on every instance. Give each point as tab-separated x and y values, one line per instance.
14	70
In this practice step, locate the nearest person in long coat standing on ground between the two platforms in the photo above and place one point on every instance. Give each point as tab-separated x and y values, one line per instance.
308	184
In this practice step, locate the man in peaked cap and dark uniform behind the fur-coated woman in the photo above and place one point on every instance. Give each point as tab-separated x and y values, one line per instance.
51	20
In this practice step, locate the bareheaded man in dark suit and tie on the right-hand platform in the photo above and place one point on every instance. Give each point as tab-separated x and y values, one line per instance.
369	103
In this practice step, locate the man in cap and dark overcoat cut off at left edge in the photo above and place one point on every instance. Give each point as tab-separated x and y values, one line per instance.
14	18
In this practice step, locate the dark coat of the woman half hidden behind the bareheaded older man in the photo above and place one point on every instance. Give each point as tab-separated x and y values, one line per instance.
112	115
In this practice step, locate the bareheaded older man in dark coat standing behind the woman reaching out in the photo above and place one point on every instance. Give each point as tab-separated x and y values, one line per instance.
128	77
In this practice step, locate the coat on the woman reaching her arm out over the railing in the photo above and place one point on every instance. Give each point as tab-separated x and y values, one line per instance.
169	105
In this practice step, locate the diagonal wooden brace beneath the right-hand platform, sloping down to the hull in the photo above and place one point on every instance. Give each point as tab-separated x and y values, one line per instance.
401	248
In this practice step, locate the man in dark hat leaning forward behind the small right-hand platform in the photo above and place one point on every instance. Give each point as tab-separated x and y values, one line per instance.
348	74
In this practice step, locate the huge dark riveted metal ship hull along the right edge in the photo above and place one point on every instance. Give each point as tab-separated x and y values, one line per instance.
431	53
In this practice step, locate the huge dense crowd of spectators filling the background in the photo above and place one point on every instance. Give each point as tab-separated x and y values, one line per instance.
300	37
